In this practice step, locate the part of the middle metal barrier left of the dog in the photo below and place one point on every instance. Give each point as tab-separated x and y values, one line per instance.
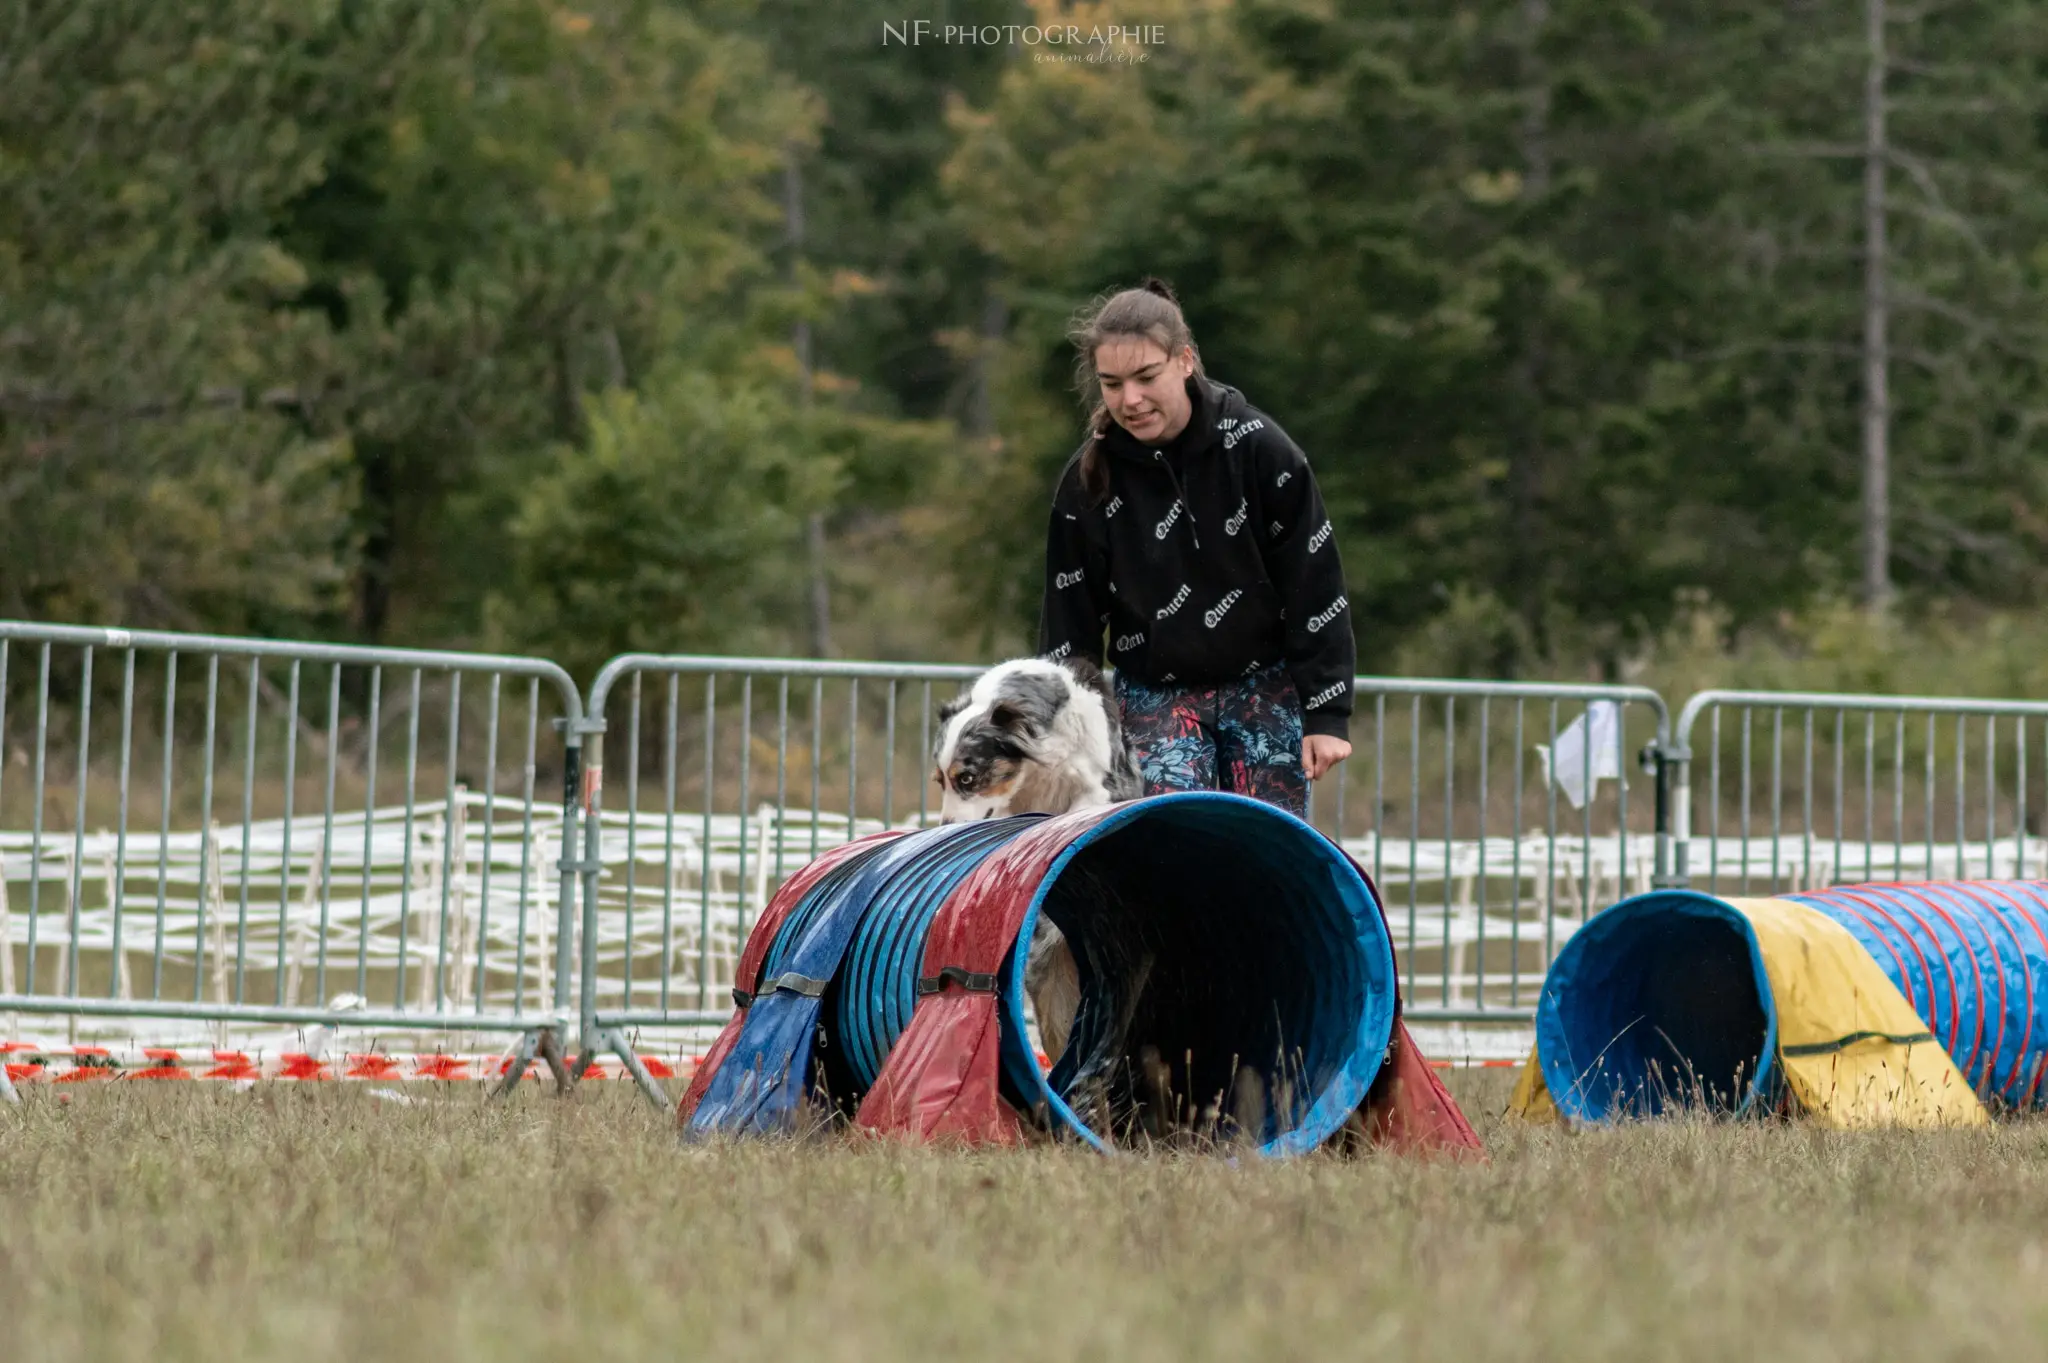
675	879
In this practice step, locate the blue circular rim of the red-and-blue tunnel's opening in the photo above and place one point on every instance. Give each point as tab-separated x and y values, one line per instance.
1373	1035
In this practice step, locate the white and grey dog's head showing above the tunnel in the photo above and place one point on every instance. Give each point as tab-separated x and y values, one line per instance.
1029	736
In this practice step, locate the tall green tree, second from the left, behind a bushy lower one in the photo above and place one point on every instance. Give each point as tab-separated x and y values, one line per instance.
552	202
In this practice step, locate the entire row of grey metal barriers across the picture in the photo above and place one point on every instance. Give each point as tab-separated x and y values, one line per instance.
226	834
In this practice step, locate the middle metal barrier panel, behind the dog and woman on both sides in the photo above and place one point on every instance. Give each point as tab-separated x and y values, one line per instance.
730	775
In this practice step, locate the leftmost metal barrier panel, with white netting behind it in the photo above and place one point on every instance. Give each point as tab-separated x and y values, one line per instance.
435	916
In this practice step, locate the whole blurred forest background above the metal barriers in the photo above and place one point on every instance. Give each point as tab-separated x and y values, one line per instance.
1674	343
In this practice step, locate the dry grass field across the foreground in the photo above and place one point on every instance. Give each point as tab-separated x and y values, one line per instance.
173	1223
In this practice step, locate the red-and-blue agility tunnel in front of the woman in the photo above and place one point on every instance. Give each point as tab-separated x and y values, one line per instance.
1236	977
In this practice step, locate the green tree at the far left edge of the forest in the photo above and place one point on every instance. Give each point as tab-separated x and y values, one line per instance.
171	451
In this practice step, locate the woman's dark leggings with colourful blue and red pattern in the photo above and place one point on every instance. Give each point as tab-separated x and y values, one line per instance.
1242	738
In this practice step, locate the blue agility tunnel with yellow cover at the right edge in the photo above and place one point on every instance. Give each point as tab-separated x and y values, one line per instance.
1859	1006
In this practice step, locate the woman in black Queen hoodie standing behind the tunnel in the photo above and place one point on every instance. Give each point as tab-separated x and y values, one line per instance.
1191	531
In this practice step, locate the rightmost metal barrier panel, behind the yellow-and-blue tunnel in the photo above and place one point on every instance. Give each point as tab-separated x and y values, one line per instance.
1859	789
